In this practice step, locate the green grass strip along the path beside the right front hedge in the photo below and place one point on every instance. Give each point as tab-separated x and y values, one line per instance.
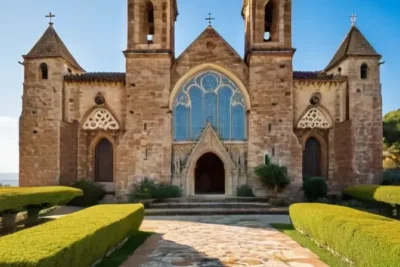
304	241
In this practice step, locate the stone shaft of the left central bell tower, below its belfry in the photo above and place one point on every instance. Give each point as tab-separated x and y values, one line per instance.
145	148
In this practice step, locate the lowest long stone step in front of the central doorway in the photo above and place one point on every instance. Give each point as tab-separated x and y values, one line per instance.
216	211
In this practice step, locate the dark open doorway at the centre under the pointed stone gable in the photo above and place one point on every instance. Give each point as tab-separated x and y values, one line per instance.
209	175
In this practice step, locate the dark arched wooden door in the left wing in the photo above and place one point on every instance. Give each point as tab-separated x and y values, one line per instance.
104	162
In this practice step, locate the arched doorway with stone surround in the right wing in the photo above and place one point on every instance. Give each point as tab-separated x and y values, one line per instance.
309	142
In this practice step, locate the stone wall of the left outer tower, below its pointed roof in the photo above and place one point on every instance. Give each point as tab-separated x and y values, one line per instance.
40	124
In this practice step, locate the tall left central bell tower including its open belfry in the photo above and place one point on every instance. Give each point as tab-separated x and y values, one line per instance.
145	150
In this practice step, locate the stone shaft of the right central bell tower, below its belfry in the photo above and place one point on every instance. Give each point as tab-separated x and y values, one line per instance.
271	86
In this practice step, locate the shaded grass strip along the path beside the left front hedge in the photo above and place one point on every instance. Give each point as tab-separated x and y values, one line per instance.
121	255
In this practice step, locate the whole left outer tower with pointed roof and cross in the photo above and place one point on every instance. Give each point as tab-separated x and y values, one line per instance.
42	129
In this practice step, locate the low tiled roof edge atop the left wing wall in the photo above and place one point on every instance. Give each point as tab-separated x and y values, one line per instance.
96	77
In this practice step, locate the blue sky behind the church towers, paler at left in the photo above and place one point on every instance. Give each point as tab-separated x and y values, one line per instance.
95	33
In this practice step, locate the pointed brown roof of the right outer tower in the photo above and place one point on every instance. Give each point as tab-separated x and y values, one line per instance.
355	44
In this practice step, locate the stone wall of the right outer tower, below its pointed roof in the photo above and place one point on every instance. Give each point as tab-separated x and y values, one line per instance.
365	101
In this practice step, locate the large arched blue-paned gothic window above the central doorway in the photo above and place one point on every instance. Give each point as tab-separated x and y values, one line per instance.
209	98
